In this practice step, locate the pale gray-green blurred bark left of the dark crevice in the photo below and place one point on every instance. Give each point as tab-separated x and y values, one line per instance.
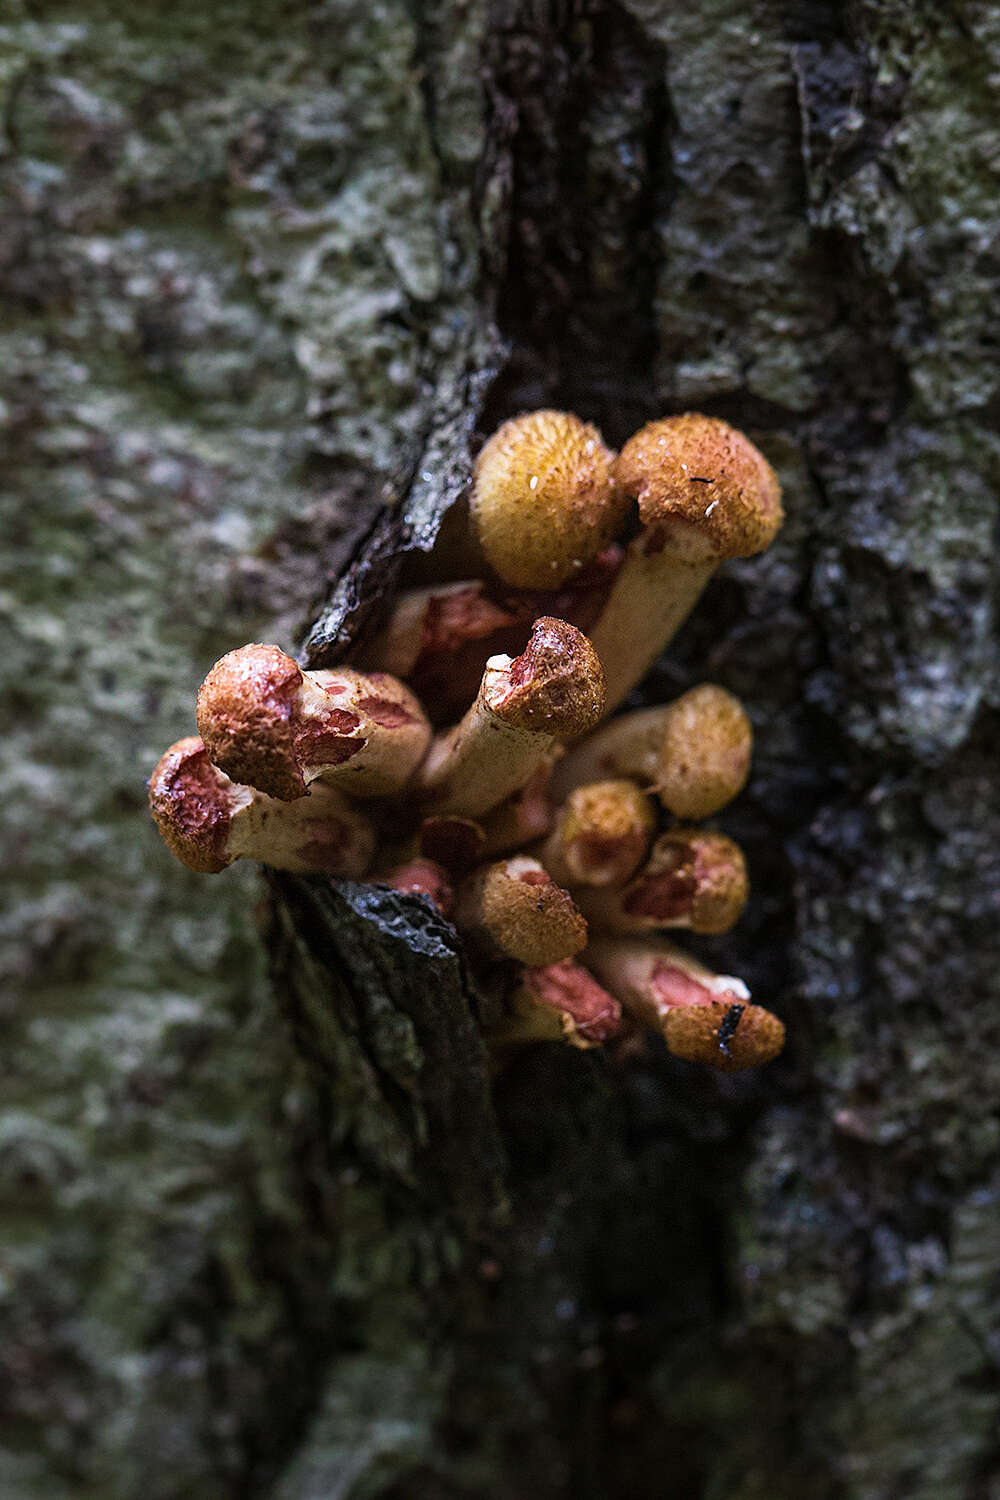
229	277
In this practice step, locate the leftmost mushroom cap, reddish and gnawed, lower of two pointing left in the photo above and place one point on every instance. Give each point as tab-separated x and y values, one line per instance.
193	805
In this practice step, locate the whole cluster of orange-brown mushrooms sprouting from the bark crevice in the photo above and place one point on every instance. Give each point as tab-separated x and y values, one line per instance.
560	842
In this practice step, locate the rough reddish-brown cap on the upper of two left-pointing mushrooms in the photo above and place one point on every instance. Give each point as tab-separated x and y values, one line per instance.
247	718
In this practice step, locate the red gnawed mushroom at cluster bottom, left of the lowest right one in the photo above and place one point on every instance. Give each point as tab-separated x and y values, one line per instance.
558	1003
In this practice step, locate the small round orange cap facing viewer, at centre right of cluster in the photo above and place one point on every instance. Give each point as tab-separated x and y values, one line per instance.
602	835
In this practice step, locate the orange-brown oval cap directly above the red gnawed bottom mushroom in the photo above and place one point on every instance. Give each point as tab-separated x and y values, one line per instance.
528	916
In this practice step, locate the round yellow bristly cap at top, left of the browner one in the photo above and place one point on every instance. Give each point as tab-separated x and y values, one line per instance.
545	500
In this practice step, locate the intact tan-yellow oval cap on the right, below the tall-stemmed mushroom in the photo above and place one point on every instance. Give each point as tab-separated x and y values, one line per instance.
705	752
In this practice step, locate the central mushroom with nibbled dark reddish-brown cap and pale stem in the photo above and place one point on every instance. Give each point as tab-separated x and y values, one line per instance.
554	689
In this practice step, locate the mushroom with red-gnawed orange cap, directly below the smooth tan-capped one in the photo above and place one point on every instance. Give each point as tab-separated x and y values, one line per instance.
692	880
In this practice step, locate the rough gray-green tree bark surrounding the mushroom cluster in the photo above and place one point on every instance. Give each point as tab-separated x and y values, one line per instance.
269	268
